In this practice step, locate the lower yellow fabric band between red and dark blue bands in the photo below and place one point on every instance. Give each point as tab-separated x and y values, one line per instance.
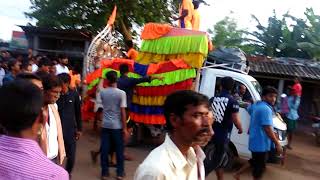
149	100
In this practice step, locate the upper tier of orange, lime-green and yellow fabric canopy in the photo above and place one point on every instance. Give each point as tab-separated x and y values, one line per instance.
178	43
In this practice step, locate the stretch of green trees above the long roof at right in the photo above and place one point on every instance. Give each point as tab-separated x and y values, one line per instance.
300	38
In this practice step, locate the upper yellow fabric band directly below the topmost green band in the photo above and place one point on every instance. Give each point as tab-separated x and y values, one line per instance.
194	60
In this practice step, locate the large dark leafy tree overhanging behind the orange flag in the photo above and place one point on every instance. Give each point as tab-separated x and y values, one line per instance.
92	15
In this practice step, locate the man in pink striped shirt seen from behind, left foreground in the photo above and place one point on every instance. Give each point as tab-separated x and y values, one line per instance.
21	116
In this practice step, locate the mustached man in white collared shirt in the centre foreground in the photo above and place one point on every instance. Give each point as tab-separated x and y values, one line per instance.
189	123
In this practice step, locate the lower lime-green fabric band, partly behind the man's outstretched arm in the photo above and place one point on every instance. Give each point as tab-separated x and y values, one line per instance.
169	78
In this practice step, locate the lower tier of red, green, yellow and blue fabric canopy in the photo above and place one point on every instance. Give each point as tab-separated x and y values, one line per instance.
148	99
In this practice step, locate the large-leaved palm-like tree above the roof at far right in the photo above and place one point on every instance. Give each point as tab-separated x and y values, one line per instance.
277	39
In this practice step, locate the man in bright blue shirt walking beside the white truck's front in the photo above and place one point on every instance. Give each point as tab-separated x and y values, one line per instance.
261	131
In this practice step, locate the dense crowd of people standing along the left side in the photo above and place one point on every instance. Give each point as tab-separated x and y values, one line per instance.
40	110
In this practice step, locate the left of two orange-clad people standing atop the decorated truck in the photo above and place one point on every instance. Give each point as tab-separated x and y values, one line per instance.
186	13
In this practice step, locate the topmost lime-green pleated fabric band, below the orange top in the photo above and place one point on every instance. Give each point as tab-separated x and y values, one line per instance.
177	45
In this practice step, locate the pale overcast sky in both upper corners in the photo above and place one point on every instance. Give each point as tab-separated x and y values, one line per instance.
12	12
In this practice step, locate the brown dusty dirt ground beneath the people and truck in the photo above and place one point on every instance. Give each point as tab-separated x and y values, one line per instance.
303	162
